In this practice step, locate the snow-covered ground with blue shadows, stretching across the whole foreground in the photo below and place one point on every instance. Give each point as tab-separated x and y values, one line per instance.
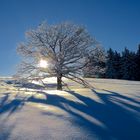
108	111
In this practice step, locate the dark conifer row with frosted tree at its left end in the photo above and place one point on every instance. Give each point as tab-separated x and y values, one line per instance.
114	65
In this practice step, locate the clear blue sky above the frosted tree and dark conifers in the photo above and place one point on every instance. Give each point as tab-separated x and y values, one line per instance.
114	23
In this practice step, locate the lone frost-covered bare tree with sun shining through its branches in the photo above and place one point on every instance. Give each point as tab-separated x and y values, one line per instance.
55	50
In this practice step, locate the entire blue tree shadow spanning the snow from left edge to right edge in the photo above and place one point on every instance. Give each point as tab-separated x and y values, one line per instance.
117	117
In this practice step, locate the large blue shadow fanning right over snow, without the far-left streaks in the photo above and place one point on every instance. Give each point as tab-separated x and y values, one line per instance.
120	122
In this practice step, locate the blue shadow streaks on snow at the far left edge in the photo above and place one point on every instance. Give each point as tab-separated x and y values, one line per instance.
8	106
